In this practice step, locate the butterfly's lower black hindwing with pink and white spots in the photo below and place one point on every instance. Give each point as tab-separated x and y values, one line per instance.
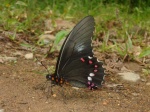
79	71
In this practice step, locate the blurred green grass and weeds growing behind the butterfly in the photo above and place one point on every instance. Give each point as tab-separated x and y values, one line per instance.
28	17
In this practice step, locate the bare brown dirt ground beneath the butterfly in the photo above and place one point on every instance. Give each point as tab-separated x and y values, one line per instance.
21	83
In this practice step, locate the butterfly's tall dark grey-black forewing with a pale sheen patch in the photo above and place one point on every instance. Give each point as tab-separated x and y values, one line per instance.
77	44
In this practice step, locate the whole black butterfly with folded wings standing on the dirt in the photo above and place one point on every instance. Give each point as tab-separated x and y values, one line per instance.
76	63
